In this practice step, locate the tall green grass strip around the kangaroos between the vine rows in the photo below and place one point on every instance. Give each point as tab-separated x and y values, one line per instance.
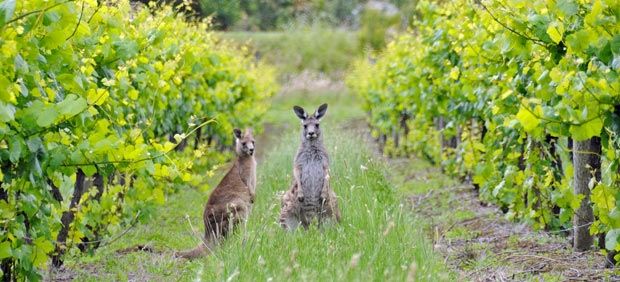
378	238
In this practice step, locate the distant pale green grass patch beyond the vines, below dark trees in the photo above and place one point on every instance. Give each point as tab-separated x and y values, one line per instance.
292	51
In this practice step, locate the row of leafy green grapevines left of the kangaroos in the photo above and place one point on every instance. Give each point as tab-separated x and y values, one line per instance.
96	94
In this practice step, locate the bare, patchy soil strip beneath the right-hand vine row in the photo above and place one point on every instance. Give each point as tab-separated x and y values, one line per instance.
480	244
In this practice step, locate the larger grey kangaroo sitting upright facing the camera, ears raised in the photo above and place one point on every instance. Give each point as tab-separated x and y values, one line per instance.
310	196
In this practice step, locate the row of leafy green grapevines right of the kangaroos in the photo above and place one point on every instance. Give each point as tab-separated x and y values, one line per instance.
516	82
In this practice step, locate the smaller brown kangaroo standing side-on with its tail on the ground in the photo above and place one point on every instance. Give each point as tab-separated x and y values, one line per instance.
231	201
